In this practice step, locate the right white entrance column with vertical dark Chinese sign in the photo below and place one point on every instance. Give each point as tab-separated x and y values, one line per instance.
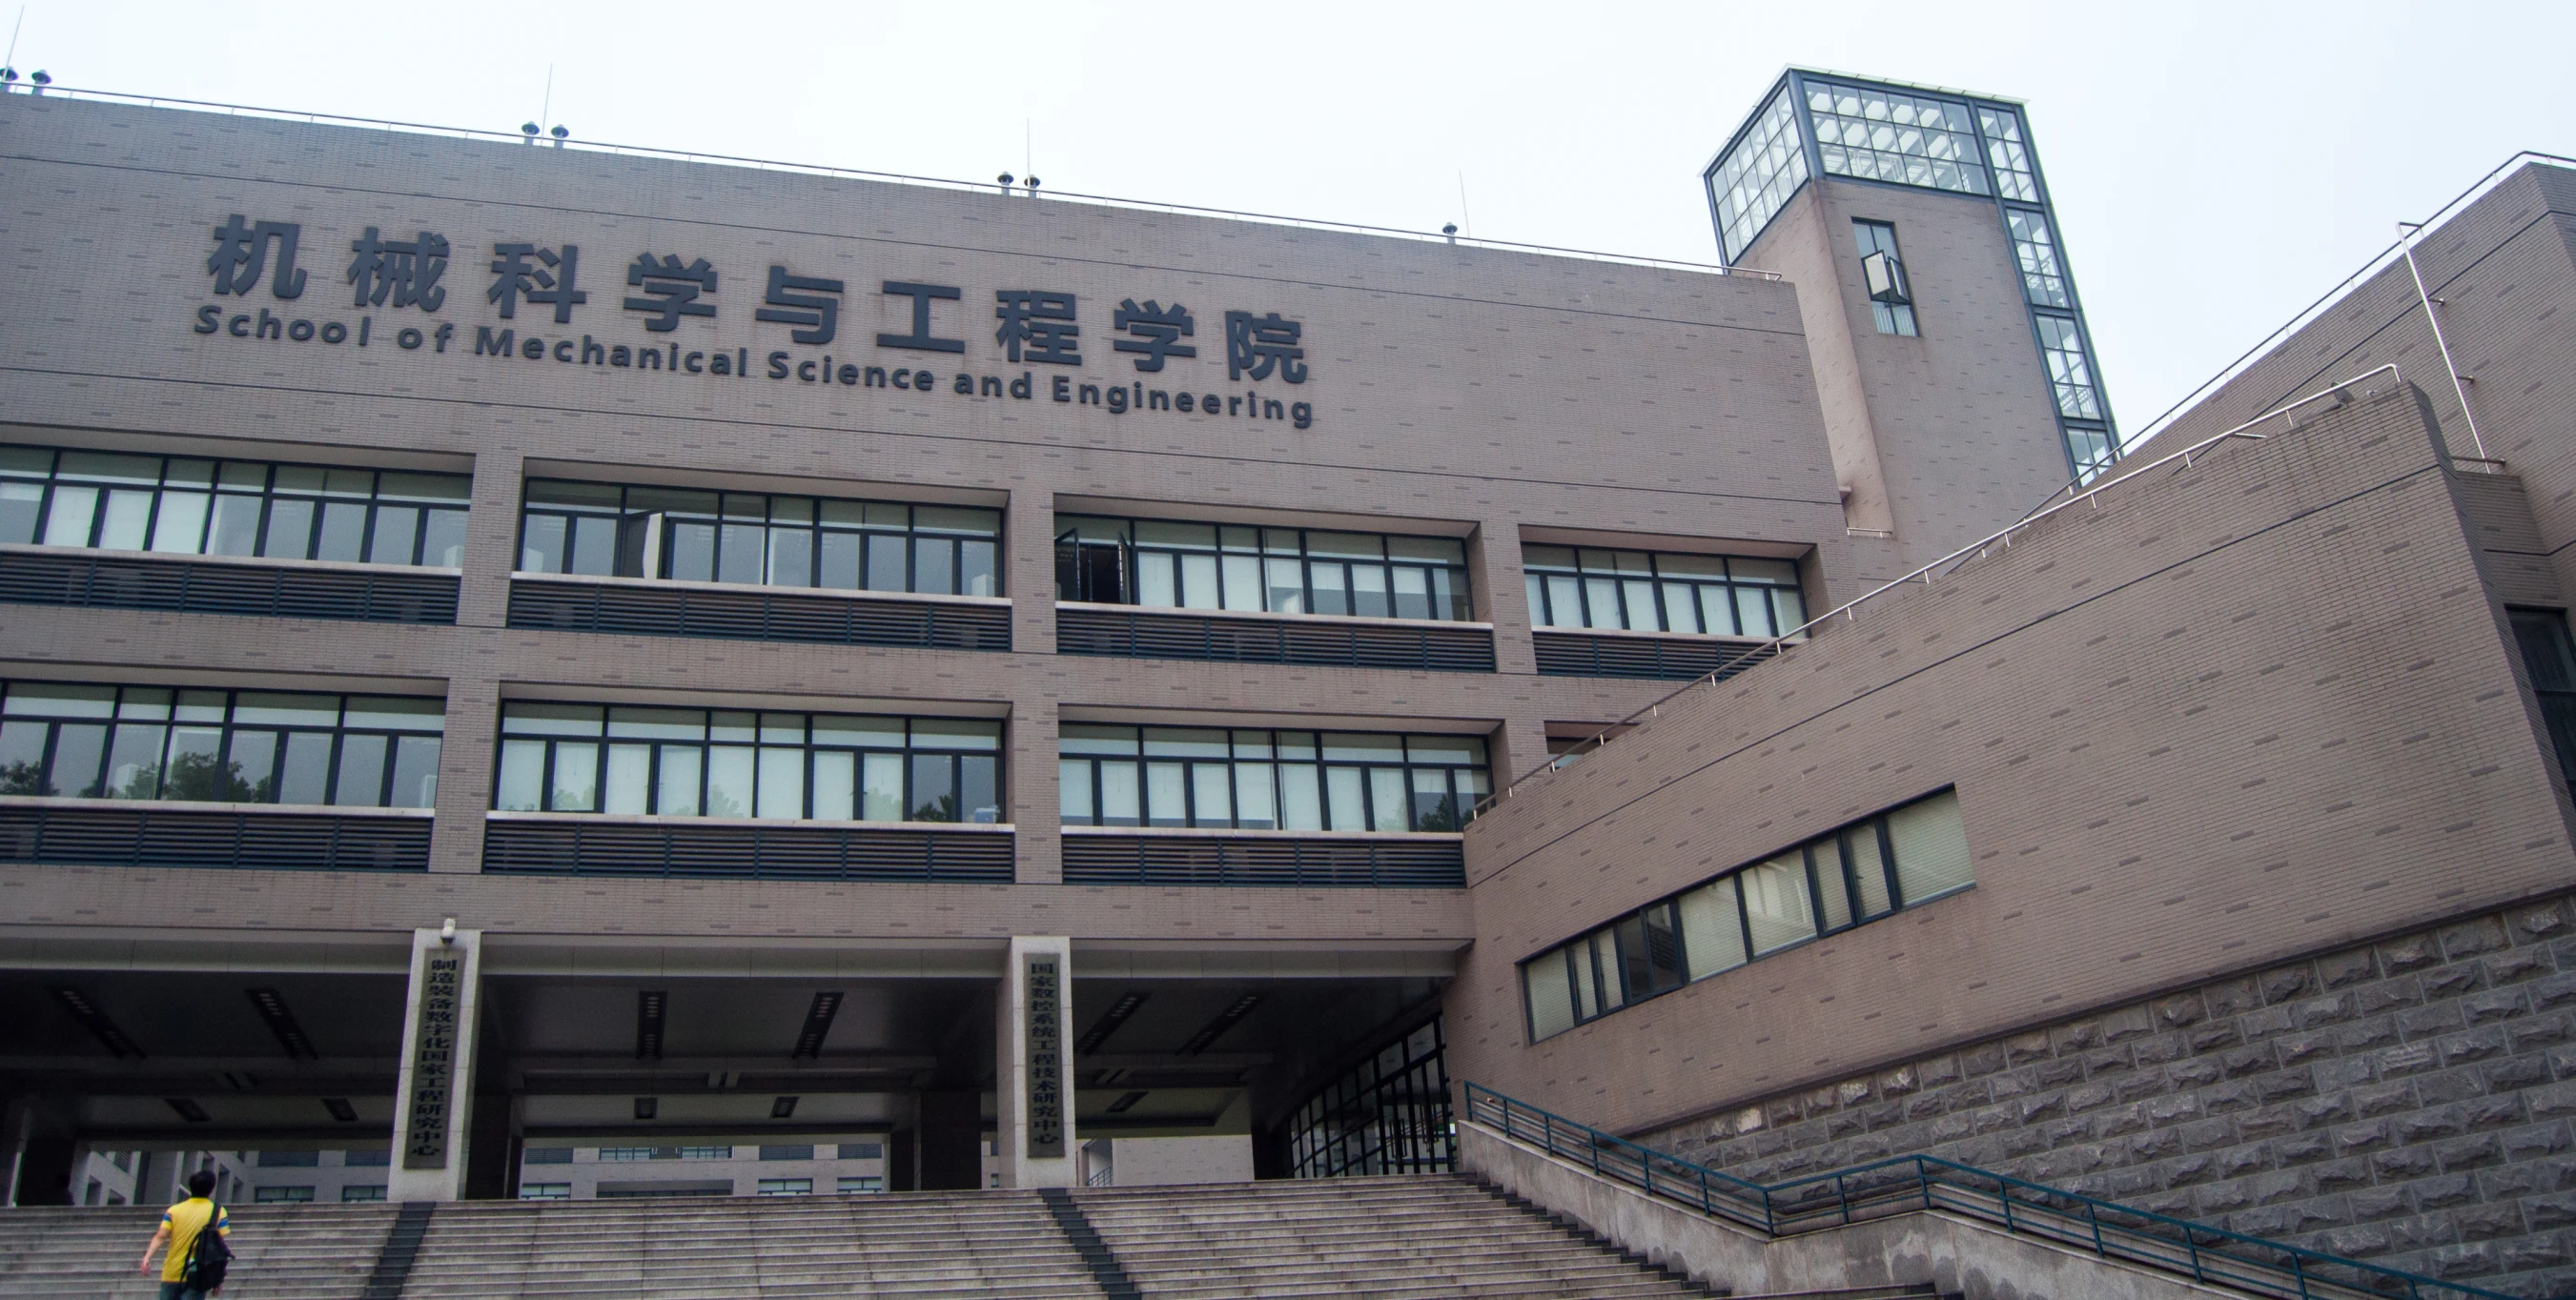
1034	1067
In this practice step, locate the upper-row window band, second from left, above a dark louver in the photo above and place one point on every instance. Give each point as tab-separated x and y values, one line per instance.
756	539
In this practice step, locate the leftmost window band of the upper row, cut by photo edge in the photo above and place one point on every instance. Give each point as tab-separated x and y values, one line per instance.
231	508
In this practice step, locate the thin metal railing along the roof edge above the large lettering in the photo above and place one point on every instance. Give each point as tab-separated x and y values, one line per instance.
895	179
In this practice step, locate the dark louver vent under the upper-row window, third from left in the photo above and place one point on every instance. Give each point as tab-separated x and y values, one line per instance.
1274	642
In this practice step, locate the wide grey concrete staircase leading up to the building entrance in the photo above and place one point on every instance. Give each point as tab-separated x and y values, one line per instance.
1395	1240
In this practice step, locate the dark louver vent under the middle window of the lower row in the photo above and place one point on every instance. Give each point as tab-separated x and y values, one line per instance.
746	853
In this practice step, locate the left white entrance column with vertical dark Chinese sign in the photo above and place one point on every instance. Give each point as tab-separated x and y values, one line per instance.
434	1098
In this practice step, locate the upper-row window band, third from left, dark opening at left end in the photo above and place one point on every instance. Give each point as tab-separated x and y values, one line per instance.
1258	570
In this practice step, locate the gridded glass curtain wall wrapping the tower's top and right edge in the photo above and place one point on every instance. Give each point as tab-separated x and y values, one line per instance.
1905	135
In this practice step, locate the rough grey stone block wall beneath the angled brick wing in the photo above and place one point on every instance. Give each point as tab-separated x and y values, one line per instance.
2407	1103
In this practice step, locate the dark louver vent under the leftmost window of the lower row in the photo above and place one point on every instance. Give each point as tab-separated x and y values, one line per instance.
169	838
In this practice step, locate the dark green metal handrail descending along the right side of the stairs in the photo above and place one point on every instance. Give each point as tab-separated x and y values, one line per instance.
1931	1183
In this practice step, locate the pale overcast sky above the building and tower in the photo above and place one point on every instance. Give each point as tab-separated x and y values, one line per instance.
2214	163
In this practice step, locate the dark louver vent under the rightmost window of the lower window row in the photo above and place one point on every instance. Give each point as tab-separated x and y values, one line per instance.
1264	861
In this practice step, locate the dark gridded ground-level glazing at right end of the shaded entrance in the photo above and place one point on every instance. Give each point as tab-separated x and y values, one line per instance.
1387	1116
